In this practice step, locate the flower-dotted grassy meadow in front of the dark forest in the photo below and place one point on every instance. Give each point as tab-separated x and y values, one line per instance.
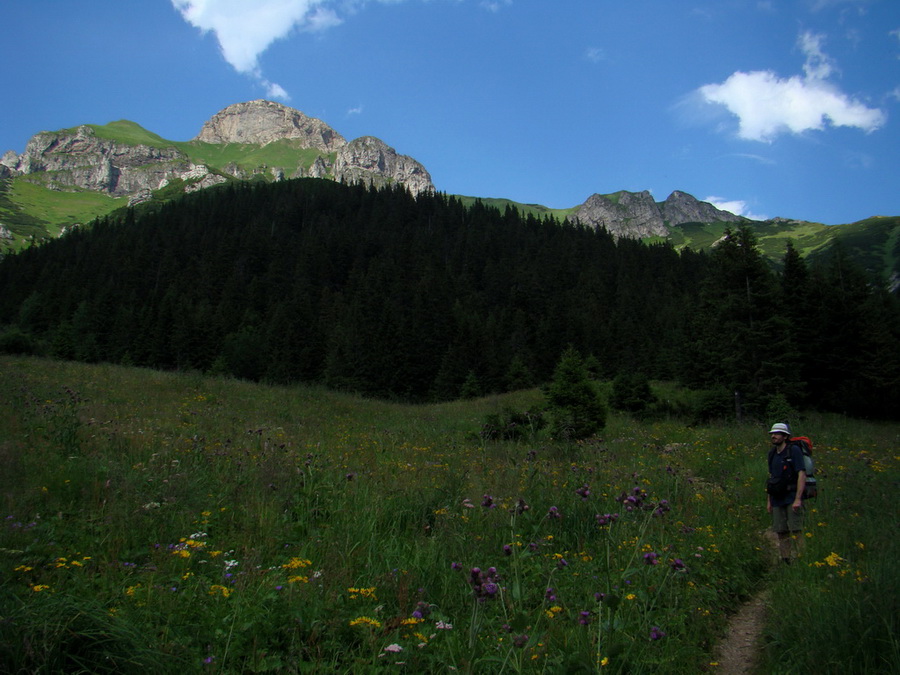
177	522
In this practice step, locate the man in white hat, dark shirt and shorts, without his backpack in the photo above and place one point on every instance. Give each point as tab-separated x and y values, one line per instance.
785	488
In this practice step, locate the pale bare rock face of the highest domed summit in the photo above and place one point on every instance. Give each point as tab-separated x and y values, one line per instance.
262	122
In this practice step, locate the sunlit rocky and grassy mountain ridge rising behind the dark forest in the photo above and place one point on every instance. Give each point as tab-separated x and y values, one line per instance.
67	178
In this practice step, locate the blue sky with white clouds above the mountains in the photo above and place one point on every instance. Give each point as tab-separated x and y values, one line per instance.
771	108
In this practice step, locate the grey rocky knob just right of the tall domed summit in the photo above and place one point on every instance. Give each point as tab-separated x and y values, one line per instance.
372	161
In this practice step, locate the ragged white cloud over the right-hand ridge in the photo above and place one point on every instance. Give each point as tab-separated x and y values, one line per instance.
767	105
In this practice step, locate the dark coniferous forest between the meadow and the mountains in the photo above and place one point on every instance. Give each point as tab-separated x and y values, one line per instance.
424	299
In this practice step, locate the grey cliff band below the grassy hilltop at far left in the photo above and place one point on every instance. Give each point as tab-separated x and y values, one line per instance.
64	160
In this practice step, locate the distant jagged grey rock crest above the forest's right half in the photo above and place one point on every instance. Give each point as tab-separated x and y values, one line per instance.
636	215
